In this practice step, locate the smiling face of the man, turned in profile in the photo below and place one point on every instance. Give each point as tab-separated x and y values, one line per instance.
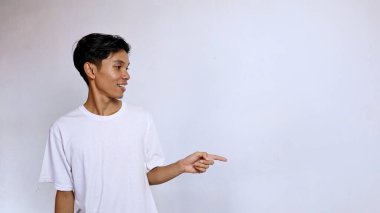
112	76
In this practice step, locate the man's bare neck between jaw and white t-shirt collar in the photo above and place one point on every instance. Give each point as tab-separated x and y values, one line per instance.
101	105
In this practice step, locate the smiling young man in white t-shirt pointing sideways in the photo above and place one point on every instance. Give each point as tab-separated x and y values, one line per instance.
104	155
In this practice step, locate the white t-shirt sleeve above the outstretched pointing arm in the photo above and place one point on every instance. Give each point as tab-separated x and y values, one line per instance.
153	152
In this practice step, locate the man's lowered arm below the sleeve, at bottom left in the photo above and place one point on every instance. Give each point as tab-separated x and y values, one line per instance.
64	202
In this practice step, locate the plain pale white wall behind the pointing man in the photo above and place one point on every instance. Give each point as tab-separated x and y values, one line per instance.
287	90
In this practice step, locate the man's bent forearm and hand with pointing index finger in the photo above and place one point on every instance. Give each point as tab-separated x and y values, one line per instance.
197	162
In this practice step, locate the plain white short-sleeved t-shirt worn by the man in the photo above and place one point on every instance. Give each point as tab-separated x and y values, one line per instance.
104	159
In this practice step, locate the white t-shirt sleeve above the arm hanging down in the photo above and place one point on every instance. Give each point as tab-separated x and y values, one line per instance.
55	167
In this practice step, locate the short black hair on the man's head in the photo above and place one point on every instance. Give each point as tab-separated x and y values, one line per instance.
94	48
